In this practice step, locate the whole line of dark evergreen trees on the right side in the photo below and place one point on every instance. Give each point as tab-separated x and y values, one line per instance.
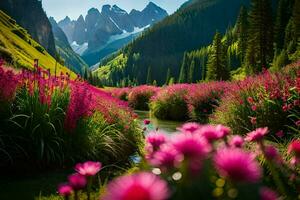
261	38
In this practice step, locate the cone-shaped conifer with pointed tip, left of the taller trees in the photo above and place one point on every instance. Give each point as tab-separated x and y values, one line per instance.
216	65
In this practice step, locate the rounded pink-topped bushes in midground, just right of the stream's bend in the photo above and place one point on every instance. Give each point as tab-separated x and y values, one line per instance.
182	101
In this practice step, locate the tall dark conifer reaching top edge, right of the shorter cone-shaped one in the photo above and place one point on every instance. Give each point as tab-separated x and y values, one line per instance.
260	35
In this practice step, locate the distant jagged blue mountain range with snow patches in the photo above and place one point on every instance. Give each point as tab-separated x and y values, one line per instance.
101	33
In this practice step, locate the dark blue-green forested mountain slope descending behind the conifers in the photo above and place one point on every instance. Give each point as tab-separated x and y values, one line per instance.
162	47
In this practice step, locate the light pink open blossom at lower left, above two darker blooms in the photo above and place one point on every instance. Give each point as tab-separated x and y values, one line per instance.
88	168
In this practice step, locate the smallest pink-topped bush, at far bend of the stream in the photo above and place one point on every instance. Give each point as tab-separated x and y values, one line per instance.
139	97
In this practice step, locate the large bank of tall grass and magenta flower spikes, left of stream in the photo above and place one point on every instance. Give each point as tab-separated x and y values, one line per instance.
52	121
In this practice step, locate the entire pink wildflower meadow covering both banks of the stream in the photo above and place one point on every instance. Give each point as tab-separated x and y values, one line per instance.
248	149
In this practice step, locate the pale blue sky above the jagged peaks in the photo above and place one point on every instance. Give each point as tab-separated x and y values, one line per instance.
59	9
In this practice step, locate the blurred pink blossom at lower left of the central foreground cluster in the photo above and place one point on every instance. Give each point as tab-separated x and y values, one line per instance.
167	157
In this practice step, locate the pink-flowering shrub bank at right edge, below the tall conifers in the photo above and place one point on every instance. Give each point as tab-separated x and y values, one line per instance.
270	100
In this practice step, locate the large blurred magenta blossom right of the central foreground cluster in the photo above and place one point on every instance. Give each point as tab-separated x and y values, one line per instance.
237	165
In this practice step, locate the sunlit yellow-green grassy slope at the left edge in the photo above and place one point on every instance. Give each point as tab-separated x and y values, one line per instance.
19	49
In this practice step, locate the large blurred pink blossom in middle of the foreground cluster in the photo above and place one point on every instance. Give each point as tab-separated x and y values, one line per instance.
191	146
